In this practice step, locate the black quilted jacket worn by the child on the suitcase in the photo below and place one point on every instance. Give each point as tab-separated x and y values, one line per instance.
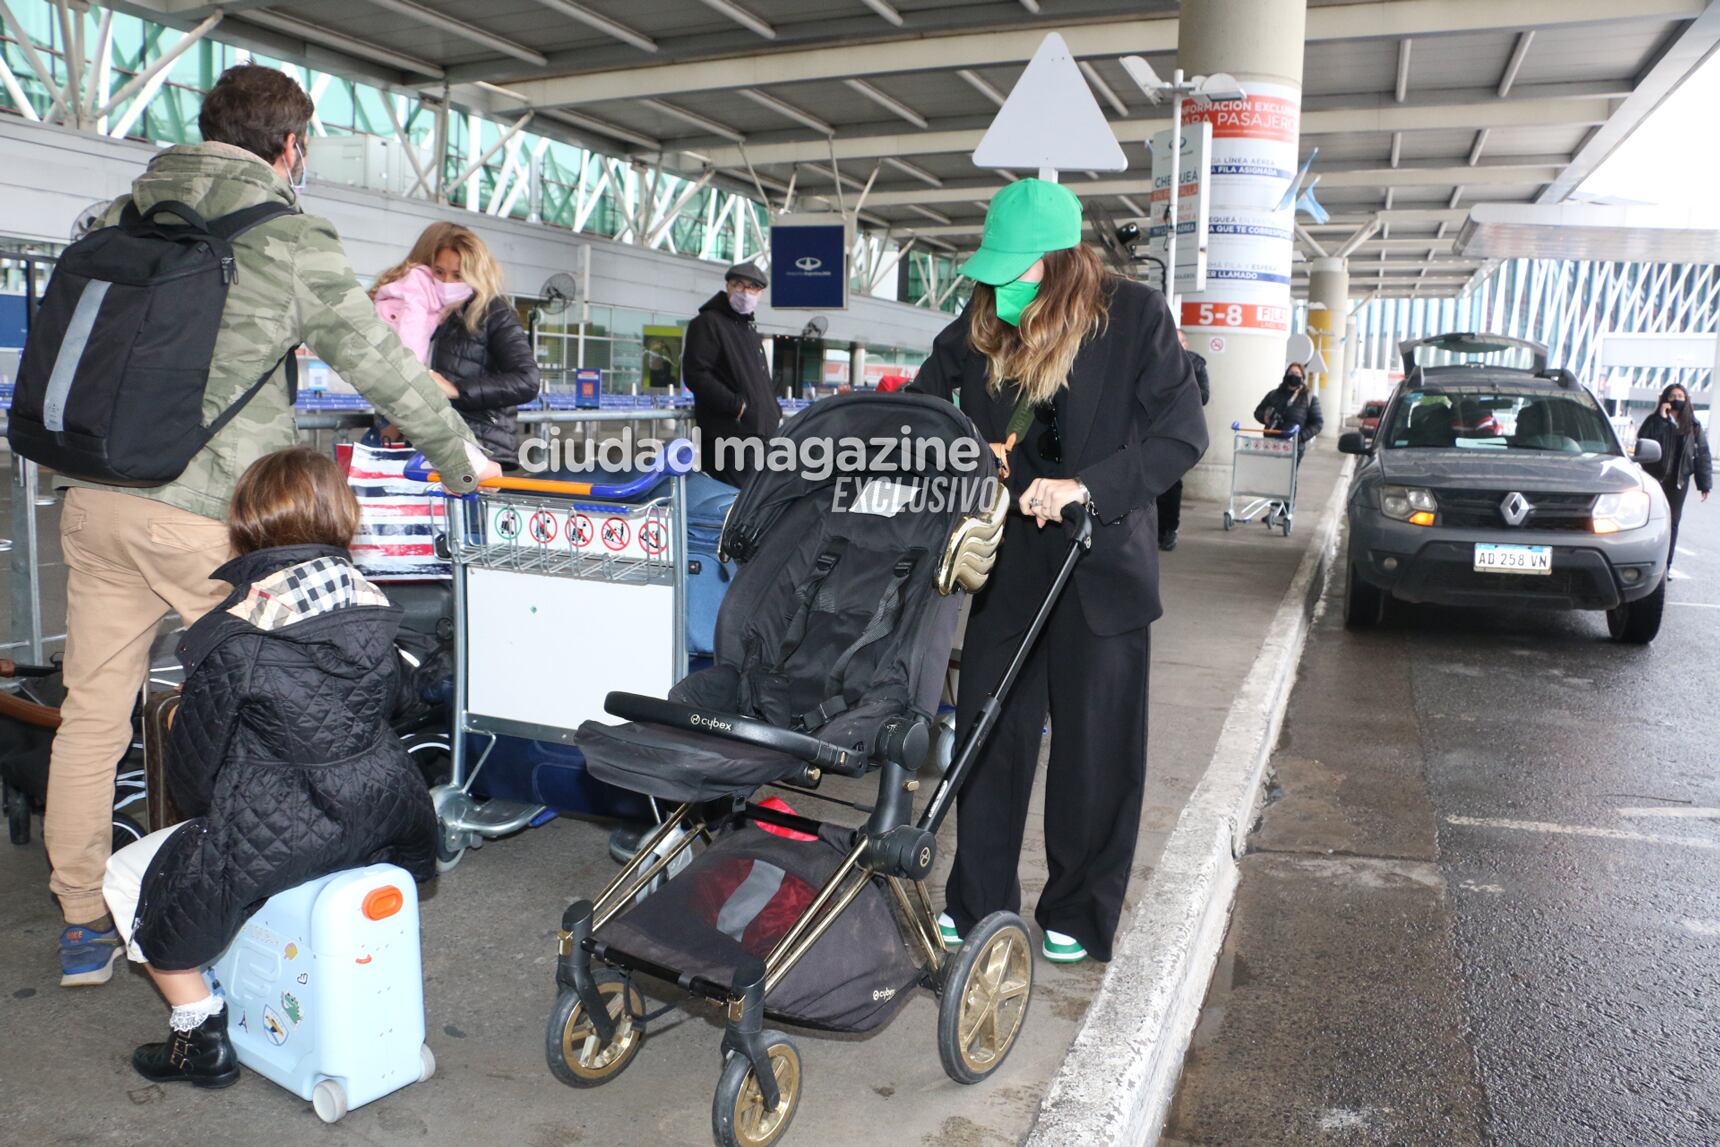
285	761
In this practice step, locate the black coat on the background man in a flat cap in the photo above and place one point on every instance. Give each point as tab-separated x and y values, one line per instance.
725	369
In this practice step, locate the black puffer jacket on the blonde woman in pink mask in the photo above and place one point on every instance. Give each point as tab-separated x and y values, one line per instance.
494	372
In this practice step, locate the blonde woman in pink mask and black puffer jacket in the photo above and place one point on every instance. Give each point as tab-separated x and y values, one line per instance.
481	355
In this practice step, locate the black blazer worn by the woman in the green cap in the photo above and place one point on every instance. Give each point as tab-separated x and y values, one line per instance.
1134	429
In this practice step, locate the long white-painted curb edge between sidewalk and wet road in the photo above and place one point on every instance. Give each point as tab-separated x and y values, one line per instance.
1121	1074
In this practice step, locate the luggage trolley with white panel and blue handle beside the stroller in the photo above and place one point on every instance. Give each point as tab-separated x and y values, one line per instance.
546	575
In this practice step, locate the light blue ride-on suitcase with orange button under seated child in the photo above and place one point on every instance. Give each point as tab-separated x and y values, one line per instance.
326	990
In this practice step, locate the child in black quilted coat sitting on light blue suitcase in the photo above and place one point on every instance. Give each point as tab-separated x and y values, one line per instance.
281	754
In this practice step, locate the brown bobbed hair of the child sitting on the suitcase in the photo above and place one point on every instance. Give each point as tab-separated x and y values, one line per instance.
292	498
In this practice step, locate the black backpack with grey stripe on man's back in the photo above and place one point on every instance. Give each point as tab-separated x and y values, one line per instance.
111	388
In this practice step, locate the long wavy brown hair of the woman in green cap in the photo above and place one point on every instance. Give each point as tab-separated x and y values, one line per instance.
1038	355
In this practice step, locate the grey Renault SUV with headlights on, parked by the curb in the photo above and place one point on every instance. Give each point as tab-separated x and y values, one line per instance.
1497	482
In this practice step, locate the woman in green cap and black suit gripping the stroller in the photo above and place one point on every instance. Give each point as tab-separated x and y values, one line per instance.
1081	381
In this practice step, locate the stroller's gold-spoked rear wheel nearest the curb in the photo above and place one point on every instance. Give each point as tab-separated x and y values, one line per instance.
986	997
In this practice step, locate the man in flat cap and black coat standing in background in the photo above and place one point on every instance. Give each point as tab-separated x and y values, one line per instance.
725	367
